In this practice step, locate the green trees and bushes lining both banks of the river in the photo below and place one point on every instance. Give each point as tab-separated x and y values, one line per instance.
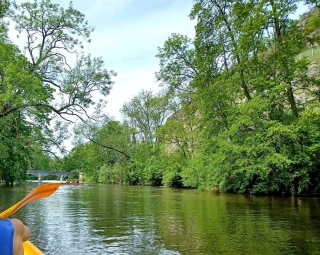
238	110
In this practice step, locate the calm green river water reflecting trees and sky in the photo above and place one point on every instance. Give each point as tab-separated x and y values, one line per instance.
112	219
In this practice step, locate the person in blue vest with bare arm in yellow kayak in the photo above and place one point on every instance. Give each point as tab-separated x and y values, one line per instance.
12	233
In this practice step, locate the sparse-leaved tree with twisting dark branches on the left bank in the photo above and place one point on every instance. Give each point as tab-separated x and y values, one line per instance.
53	35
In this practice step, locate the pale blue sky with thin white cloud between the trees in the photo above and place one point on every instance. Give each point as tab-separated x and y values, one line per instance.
127	36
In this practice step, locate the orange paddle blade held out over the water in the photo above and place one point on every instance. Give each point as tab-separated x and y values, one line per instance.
42	191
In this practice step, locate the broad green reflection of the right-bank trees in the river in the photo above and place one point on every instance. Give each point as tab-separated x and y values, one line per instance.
212	223
